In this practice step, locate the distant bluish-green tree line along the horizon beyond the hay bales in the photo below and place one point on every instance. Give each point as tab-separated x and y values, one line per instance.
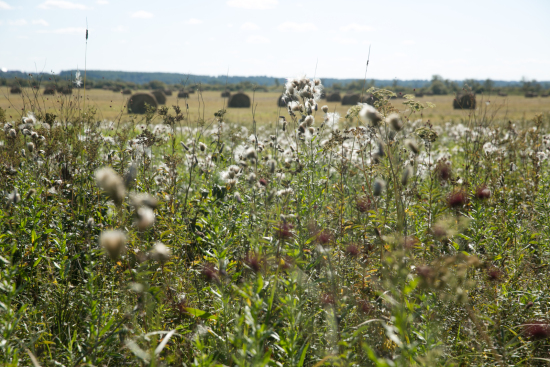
119	81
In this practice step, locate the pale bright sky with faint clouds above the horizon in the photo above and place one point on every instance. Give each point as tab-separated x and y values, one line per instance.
501	40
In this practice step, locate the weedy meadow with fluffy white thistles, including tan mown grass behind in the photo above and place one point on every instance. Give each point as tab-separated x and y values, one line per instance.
313	235
